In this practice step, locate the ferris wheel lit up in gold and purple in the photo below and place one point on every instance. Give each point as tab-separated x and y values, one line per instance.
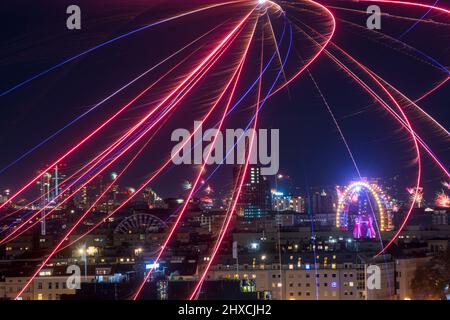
364	209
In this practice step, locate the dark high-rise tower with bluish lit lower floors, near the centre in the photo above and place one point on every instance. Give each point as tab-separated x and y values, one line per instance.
255	198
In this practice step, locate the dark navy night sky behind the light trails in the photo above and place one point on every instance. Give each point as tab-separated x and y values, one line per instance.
34	38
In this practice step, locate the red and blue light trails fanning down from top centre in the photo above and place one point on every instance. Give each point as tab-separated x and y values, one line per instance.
182	75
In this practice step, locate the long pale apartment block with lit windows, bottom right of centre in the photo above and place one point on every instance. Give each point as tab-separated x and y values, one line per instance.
334	278
